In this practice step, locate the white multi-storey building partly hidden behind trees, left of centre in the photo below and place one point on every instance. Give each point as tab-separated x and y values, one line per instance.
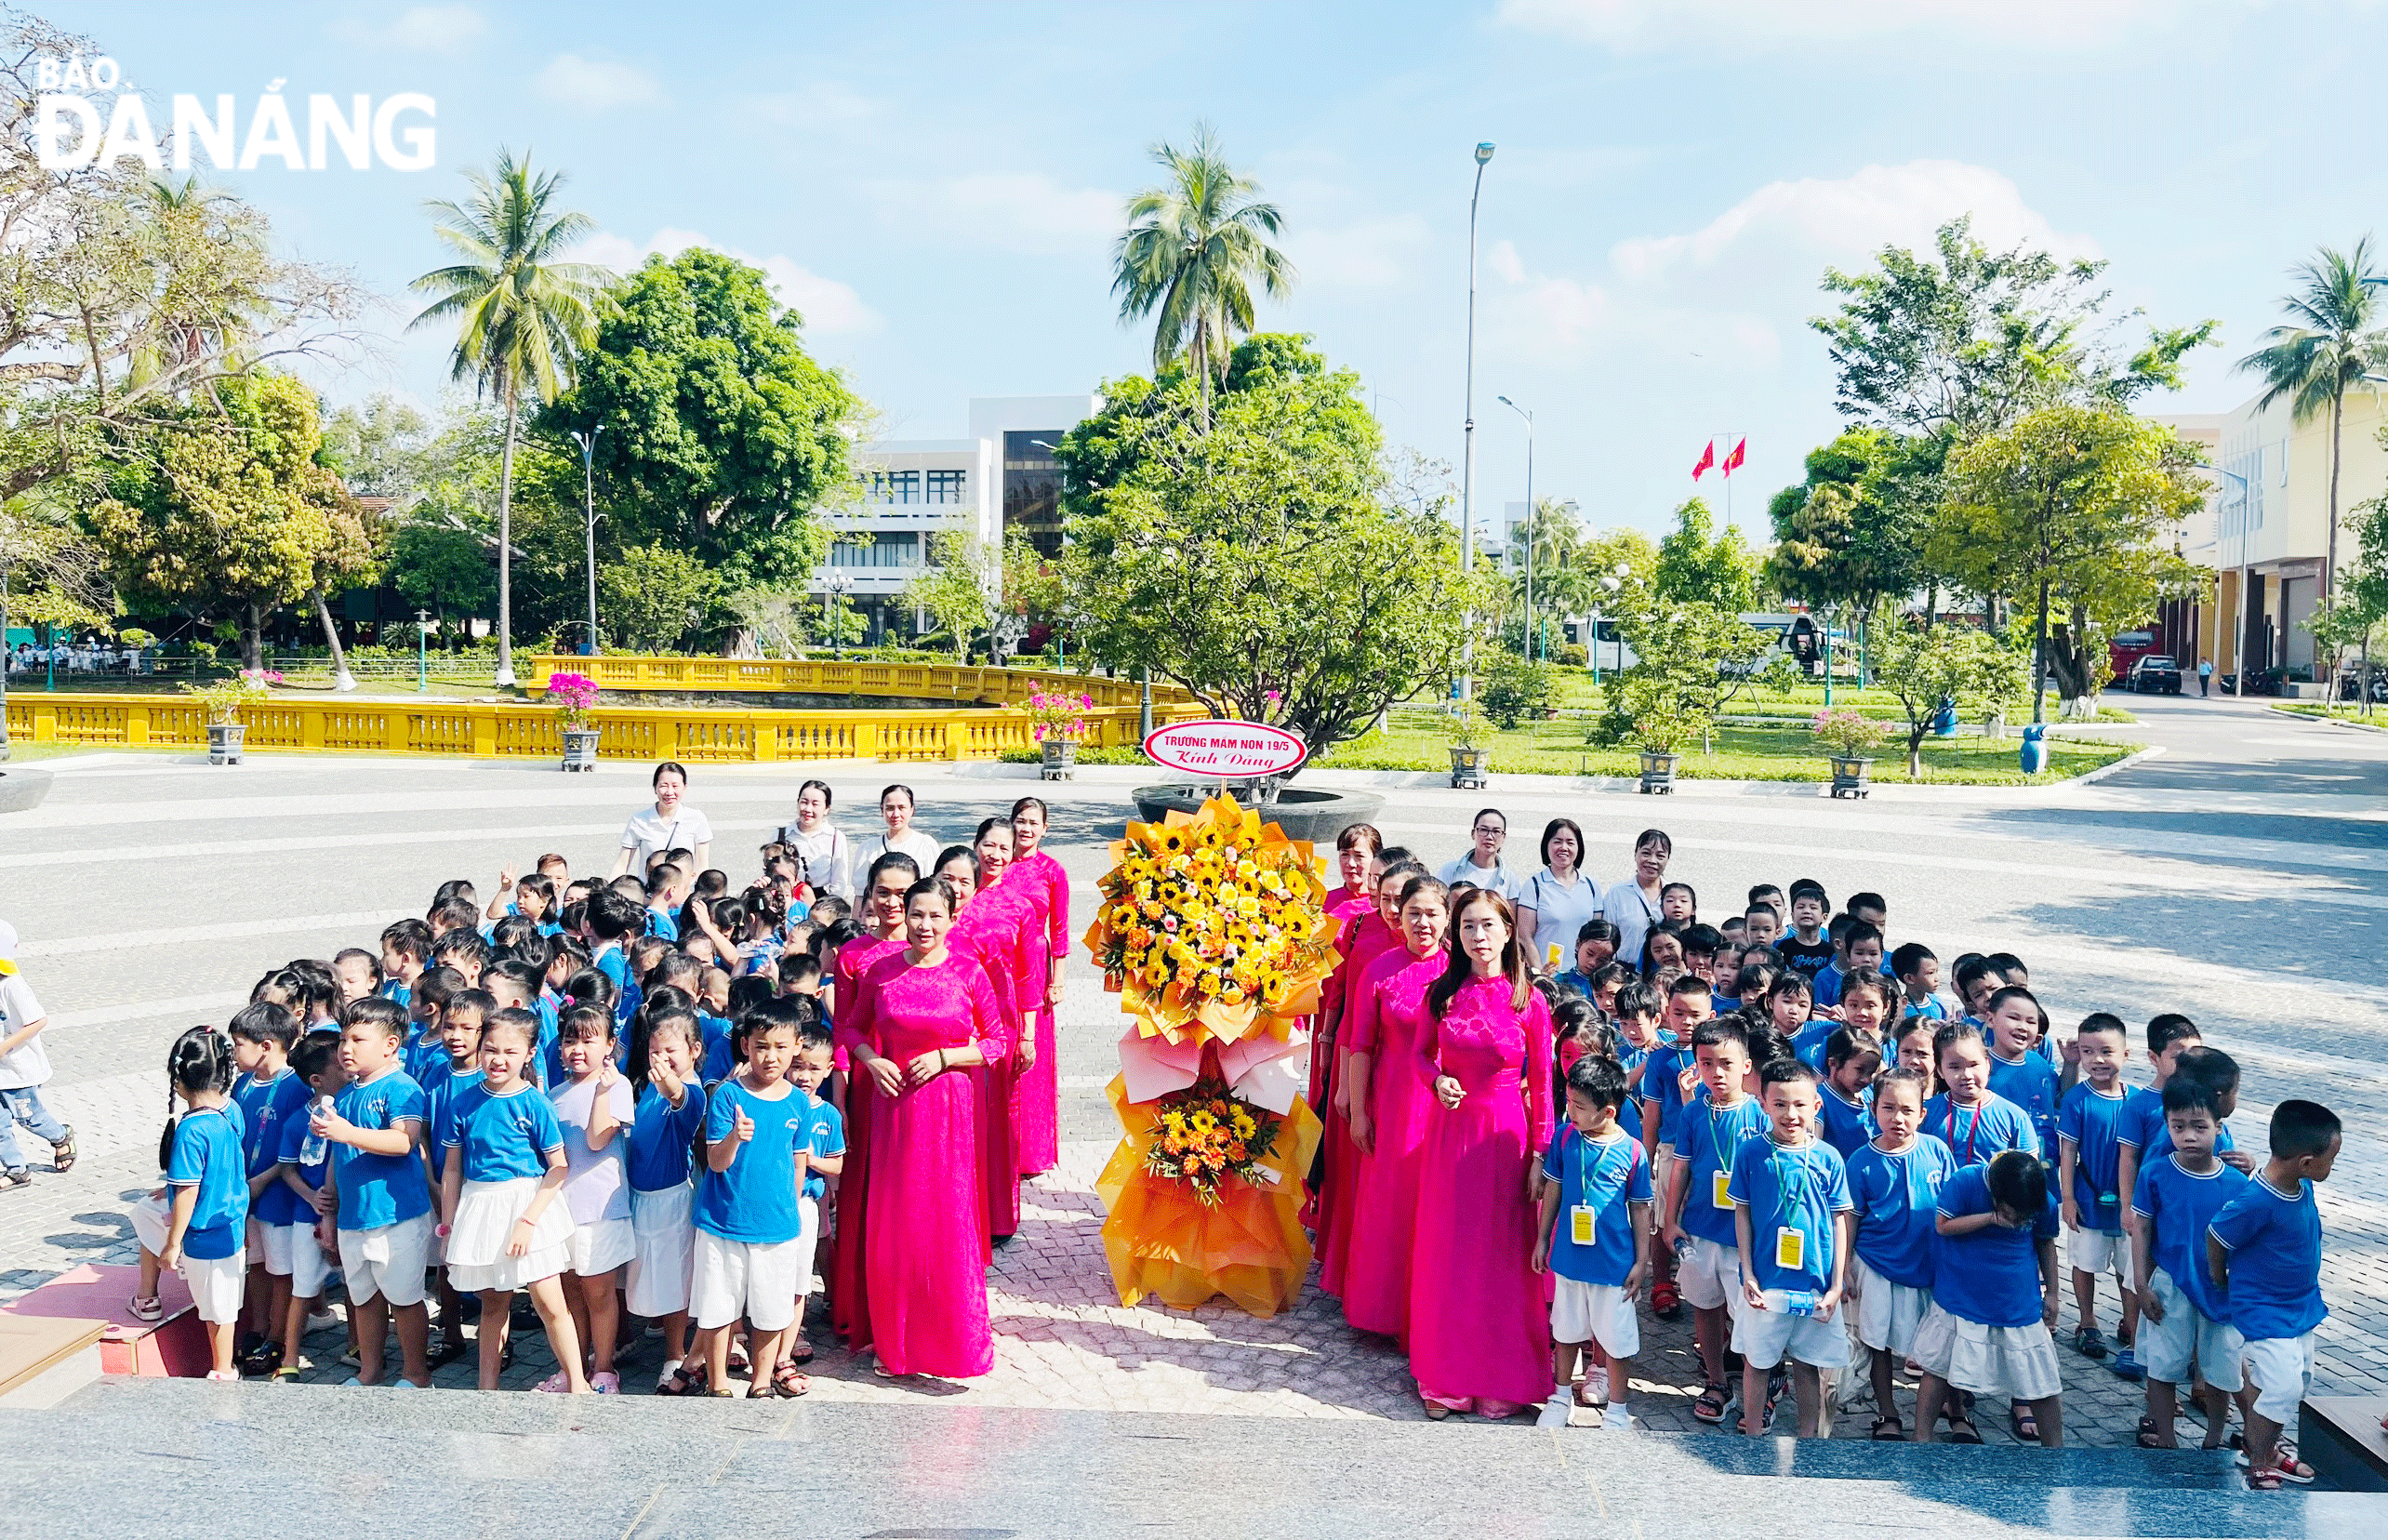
997	481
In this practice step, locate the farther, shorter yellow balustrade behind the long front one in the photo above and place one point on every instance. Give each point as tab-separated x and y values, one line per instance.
916	682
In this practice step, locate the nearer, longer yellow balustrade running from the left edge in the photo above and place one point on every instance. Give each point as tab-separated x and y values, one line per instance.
534	732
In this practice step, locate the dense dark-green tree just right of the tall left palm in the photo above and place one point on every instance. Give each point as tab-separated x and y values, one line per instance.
722	436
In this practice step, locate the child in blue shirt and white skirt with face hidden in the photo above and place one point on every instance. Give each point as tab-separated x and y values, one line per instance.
1993	1302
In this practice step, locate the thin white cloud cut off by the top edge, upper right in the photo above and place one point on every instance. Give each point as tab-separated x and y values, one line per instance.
1744	25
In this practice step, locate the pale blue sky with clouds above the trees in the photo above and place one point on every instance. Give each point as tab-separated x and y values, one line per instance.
937	185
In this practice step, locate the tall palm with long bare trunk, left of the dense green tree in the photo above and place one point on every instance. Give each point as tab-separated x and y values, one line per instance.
522	316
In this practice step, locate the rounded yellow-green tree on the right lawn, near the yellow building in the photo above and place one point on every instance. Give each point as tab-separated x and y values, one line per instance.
2074	507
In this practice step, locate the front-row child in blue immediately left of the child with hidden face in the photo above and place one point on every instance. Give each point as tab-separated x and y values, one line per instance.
1895	1183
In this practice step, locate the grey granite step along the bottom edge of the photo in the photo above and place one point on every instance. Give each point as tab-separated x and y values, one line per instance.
369	1462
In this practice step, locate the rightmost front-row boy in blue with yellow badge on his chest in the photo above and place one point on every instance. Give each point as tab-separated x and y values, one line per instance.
1792	1228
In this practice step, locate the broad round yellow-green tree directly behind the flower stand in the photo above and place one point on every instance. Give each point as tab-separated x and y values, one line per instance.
1269	565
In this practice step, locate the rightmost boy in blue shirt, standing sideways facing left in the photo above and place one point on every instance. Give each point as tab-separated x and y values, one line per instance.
2265	1252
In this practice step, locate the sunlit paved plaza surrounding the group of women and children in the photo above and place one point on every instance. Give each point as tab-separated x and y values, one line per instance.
2241	875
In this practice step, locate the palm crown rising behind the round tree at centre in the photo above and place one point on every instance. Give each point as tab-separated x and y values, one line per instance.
1190	252
